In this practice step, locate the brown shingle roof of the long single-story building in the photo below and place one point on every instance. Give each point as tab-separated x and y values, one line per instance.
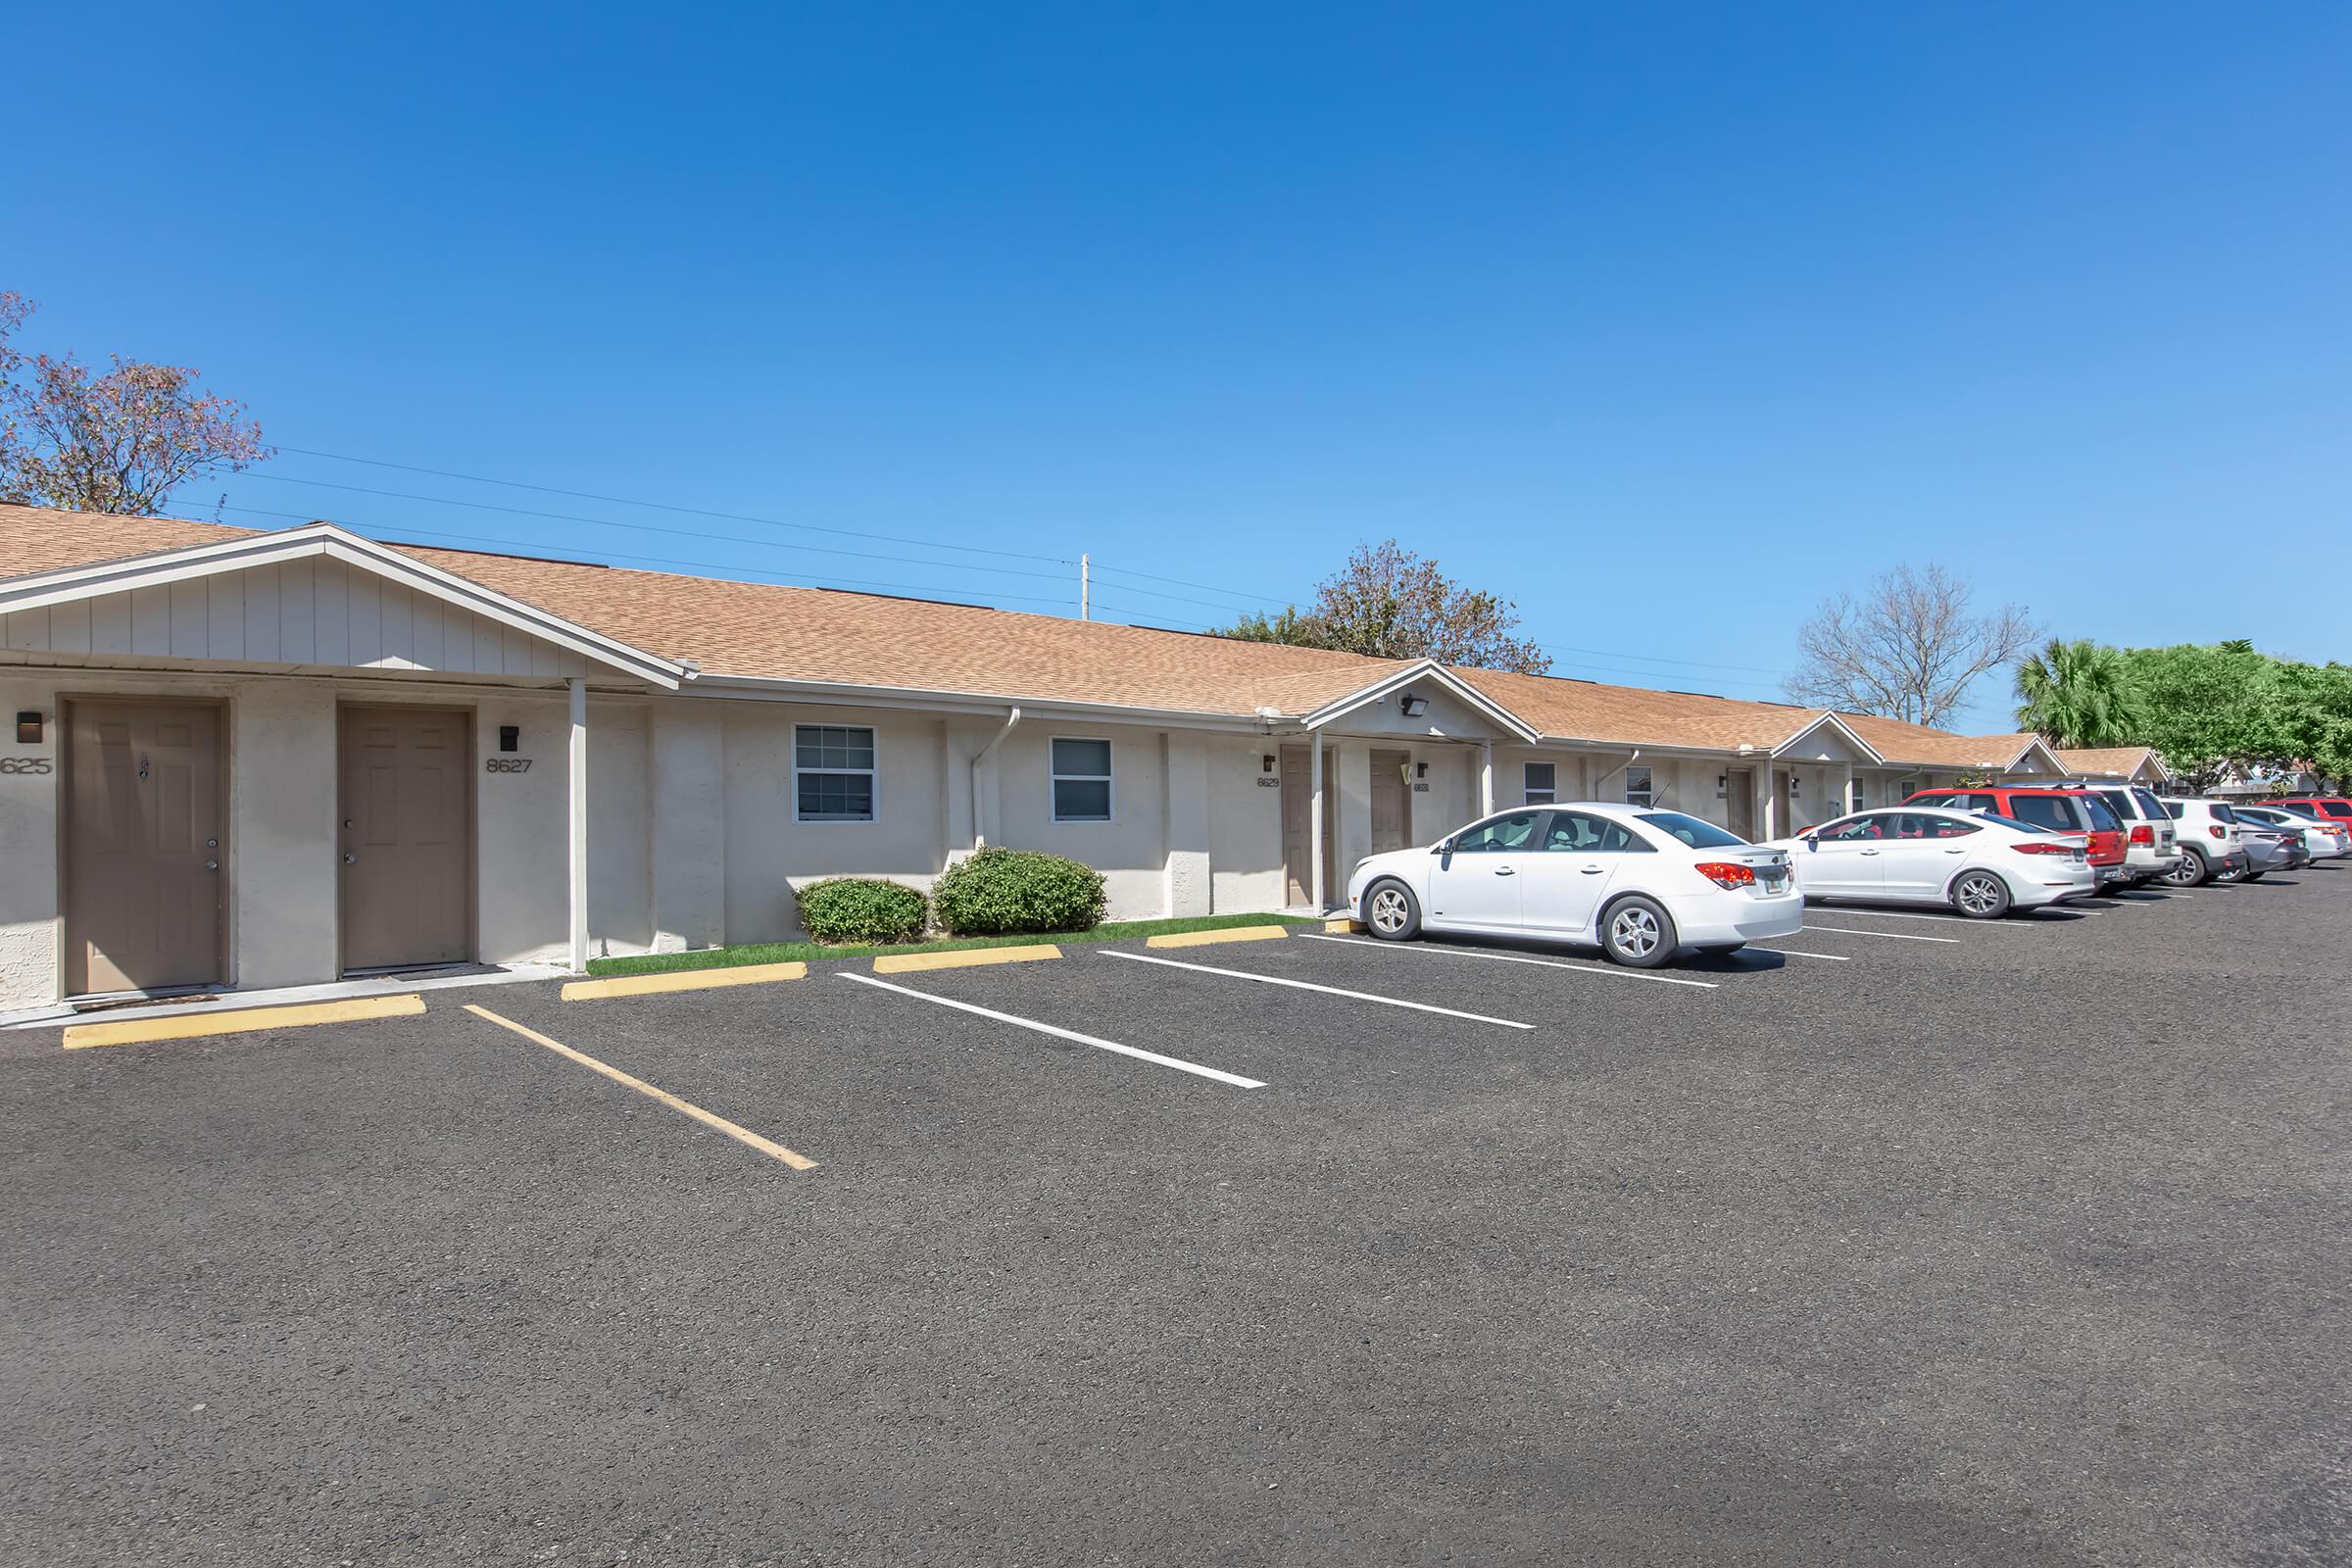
869	641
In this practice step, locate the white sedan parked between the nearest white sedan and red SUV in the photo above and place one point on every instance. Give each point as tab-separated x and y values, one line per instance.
1972	862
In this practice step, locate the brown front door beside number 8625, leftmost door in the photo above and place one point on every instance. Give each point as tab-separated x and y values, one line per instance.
145	862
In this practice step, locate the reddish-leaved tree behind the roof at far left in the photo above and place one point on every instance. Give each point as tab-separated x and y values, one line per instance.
109	441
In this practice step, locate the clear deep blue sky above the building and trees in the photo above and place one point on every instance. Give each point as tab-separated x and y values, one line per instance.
1664	321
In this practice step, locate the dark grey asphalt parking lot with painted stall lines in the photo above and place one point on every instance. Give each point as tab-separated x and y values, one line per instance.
1906	1242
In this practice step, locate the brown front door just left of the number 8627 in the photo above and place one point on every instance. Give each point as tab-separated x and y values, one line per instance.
406	836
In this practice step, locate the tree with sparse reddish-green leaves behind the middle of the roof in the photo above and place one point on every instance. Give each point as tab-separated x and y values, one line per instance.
1396	605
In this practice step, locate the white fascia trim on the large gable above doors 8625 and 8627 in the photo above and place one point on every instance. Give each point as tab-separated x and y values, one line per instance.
326	540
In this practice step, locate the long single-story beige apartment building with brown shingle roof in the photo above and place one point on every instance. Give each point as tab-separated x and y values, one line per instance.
274	758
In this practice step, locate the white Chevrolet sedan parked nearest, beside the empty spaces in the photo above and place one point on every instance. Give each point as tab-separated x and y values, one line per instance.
1641	883
